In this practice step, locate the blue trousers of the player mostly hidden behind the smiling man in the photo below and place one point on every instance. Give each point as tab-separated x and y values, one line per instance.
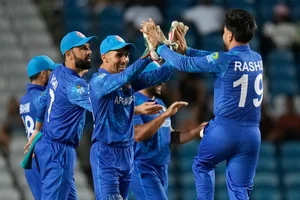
149	181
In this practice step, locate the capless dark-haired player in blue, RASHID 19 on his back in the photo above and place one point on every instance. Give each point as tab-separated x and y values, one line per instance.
233	134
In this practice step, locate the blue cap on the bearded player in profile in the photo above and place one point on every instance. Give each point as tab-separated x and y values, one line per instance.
73	39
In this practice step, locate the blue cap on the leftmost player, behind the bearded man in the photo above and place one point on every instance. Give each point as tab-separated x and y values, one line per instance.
38	64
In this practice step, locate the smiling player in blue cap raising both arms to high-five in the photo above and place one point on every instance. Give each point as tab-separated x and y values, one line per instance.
112	95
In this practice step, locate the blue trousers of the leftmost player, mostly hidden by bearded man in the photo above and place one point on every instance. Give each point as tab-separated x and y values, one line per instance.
33	178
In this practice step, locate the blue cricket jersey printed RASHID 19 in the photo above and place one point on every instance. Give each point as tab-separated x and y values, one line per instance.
238	79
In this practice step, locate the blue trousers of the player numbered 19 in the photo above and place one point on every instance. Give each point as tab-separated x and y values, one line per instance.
234	142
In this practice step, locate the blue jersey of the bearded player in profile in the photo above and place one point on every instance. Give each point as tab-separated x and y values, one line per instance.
67	100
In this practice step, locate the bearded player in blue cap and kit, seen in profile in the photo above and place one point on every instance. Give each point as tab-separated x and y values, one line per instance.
67	100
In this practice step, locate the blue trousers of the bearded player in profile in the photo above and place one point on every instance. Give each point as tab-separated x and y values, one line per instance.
56	162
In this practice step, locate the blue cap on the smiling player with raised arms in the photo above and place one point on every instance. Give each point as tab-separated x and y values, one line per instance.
113	42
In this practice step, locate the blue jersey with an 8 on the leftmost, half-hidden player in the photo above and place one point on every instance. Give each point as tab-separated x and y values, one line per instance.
28	107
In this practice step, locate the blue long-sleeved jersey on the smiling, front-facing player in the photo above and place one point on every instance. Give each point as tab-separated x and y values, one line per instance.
112	97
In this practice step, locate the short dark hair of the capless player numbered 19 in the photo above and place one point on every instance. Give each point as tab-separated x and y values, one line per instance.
242	25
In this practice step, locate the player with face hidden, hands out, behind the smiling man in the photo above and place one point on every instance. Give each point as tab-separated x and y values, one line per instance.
153	135
